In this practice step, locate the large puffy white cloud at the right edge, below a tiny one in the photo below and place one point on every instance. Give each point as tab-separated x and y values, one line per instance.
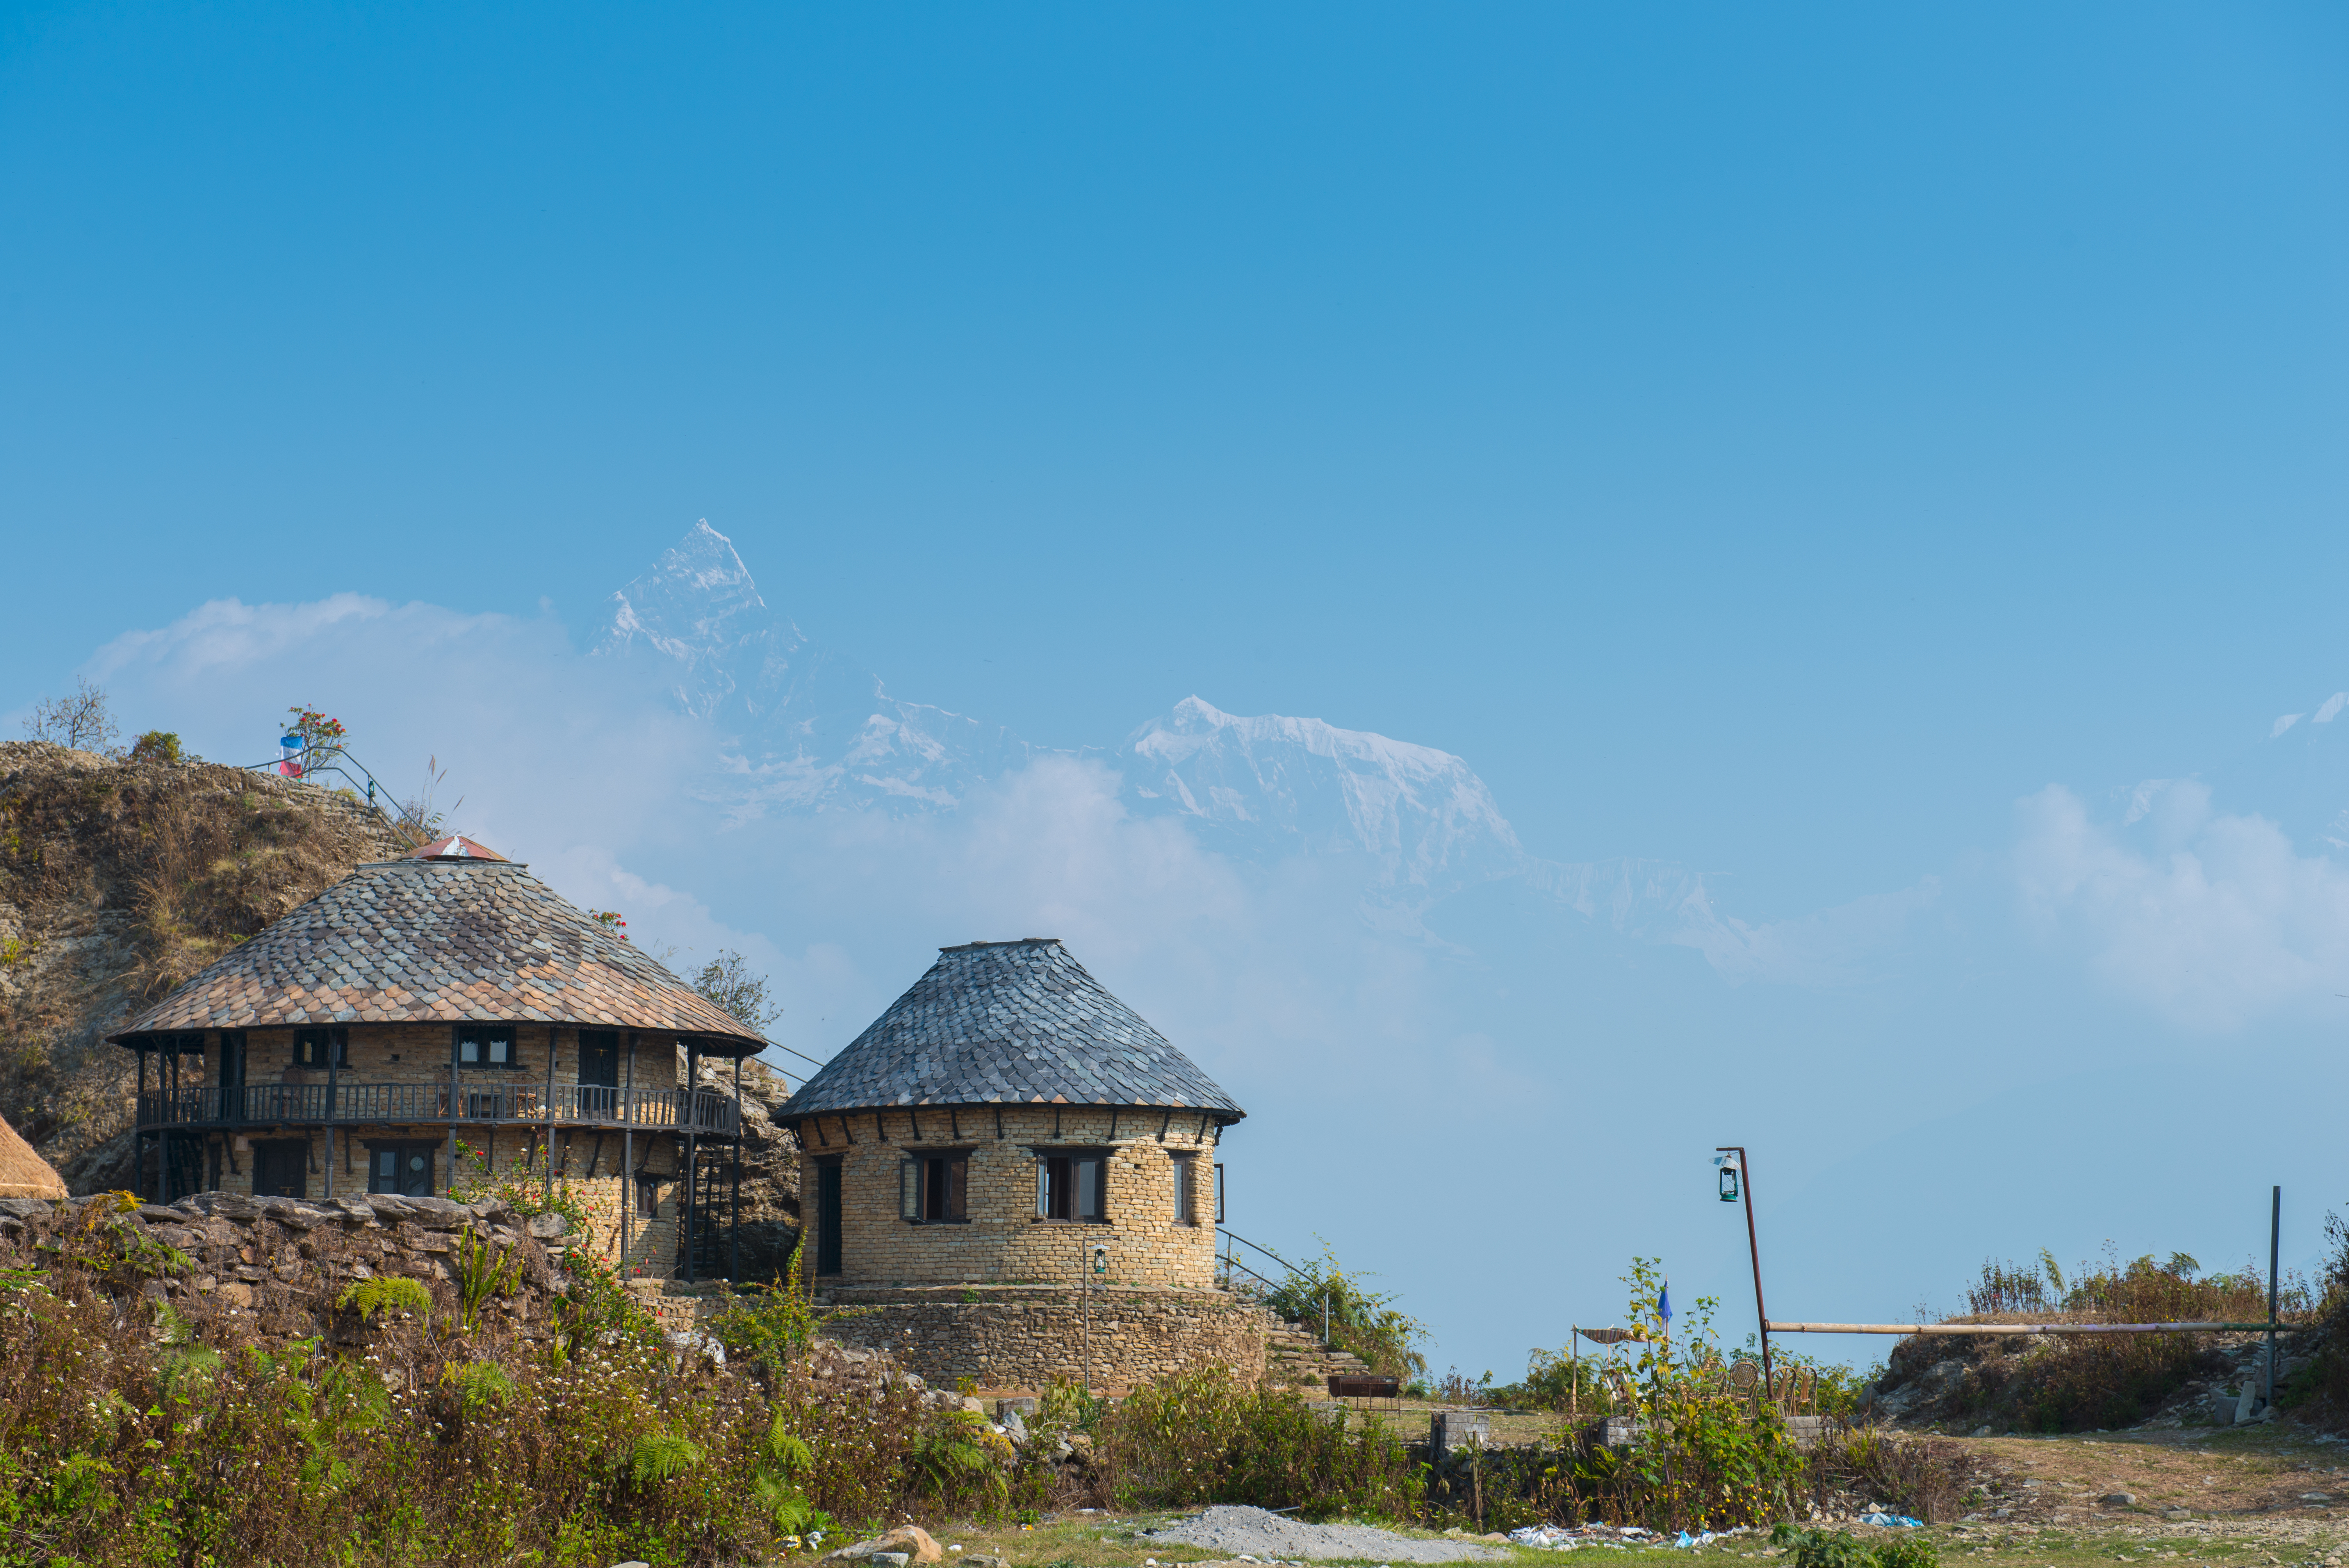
2207	919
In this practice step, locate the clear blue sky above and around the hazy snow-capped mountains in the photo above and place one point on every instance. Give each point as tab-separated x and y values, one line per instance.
1779	442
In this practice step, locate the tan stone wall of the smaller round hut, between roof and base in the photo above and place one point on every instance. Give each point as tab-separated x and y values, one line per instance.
1004	1243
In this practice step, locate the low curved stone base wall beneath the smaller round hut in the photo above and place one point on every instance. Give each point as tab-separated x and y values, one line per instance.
1021	1339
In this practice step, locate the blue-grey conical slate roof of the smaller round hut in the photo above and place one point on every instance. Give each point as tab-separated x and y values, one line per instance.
1009	1025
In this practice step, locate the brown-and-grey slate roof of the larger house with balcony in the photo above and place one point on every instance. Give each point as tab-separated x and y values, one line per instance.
440	940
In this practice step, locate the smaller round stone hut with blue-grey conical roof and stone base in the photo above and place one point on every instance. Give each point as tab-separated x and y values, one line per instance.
1016	1175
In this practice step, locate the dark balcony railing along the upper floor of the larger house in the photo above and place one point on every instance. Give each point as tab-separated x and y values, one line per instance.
696	1111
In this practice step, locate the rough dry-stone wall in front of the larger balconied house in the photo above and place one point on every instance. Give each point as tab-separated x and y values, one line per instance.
278	1266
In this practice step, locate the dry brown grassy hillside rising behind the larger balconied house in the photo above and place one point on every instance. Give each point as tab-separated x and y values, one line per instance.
116	884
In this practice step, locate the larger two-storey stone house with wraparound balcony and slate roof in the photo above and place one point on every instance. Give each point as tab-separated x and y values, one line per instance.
450	1018
